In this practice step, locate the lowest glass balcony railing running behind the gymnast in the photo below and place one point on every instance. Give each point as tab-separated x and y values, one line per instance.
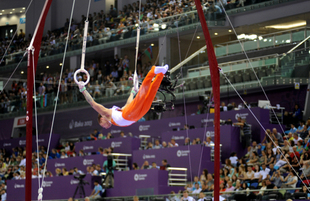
270	70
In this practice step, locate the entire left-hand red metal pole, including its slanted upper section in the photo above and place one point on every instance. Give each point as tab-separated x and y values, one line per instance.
35	44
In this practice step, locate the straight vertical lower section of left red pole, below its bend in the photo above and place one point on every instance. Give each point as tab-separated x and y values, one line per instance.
29	127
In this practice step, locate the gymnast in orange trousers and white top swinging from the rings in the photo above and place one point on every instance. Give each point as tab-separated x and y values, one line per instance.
135	108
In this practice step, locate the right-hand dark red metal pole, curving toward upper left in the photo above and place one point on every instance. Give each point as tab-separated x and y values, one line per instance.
216	94
